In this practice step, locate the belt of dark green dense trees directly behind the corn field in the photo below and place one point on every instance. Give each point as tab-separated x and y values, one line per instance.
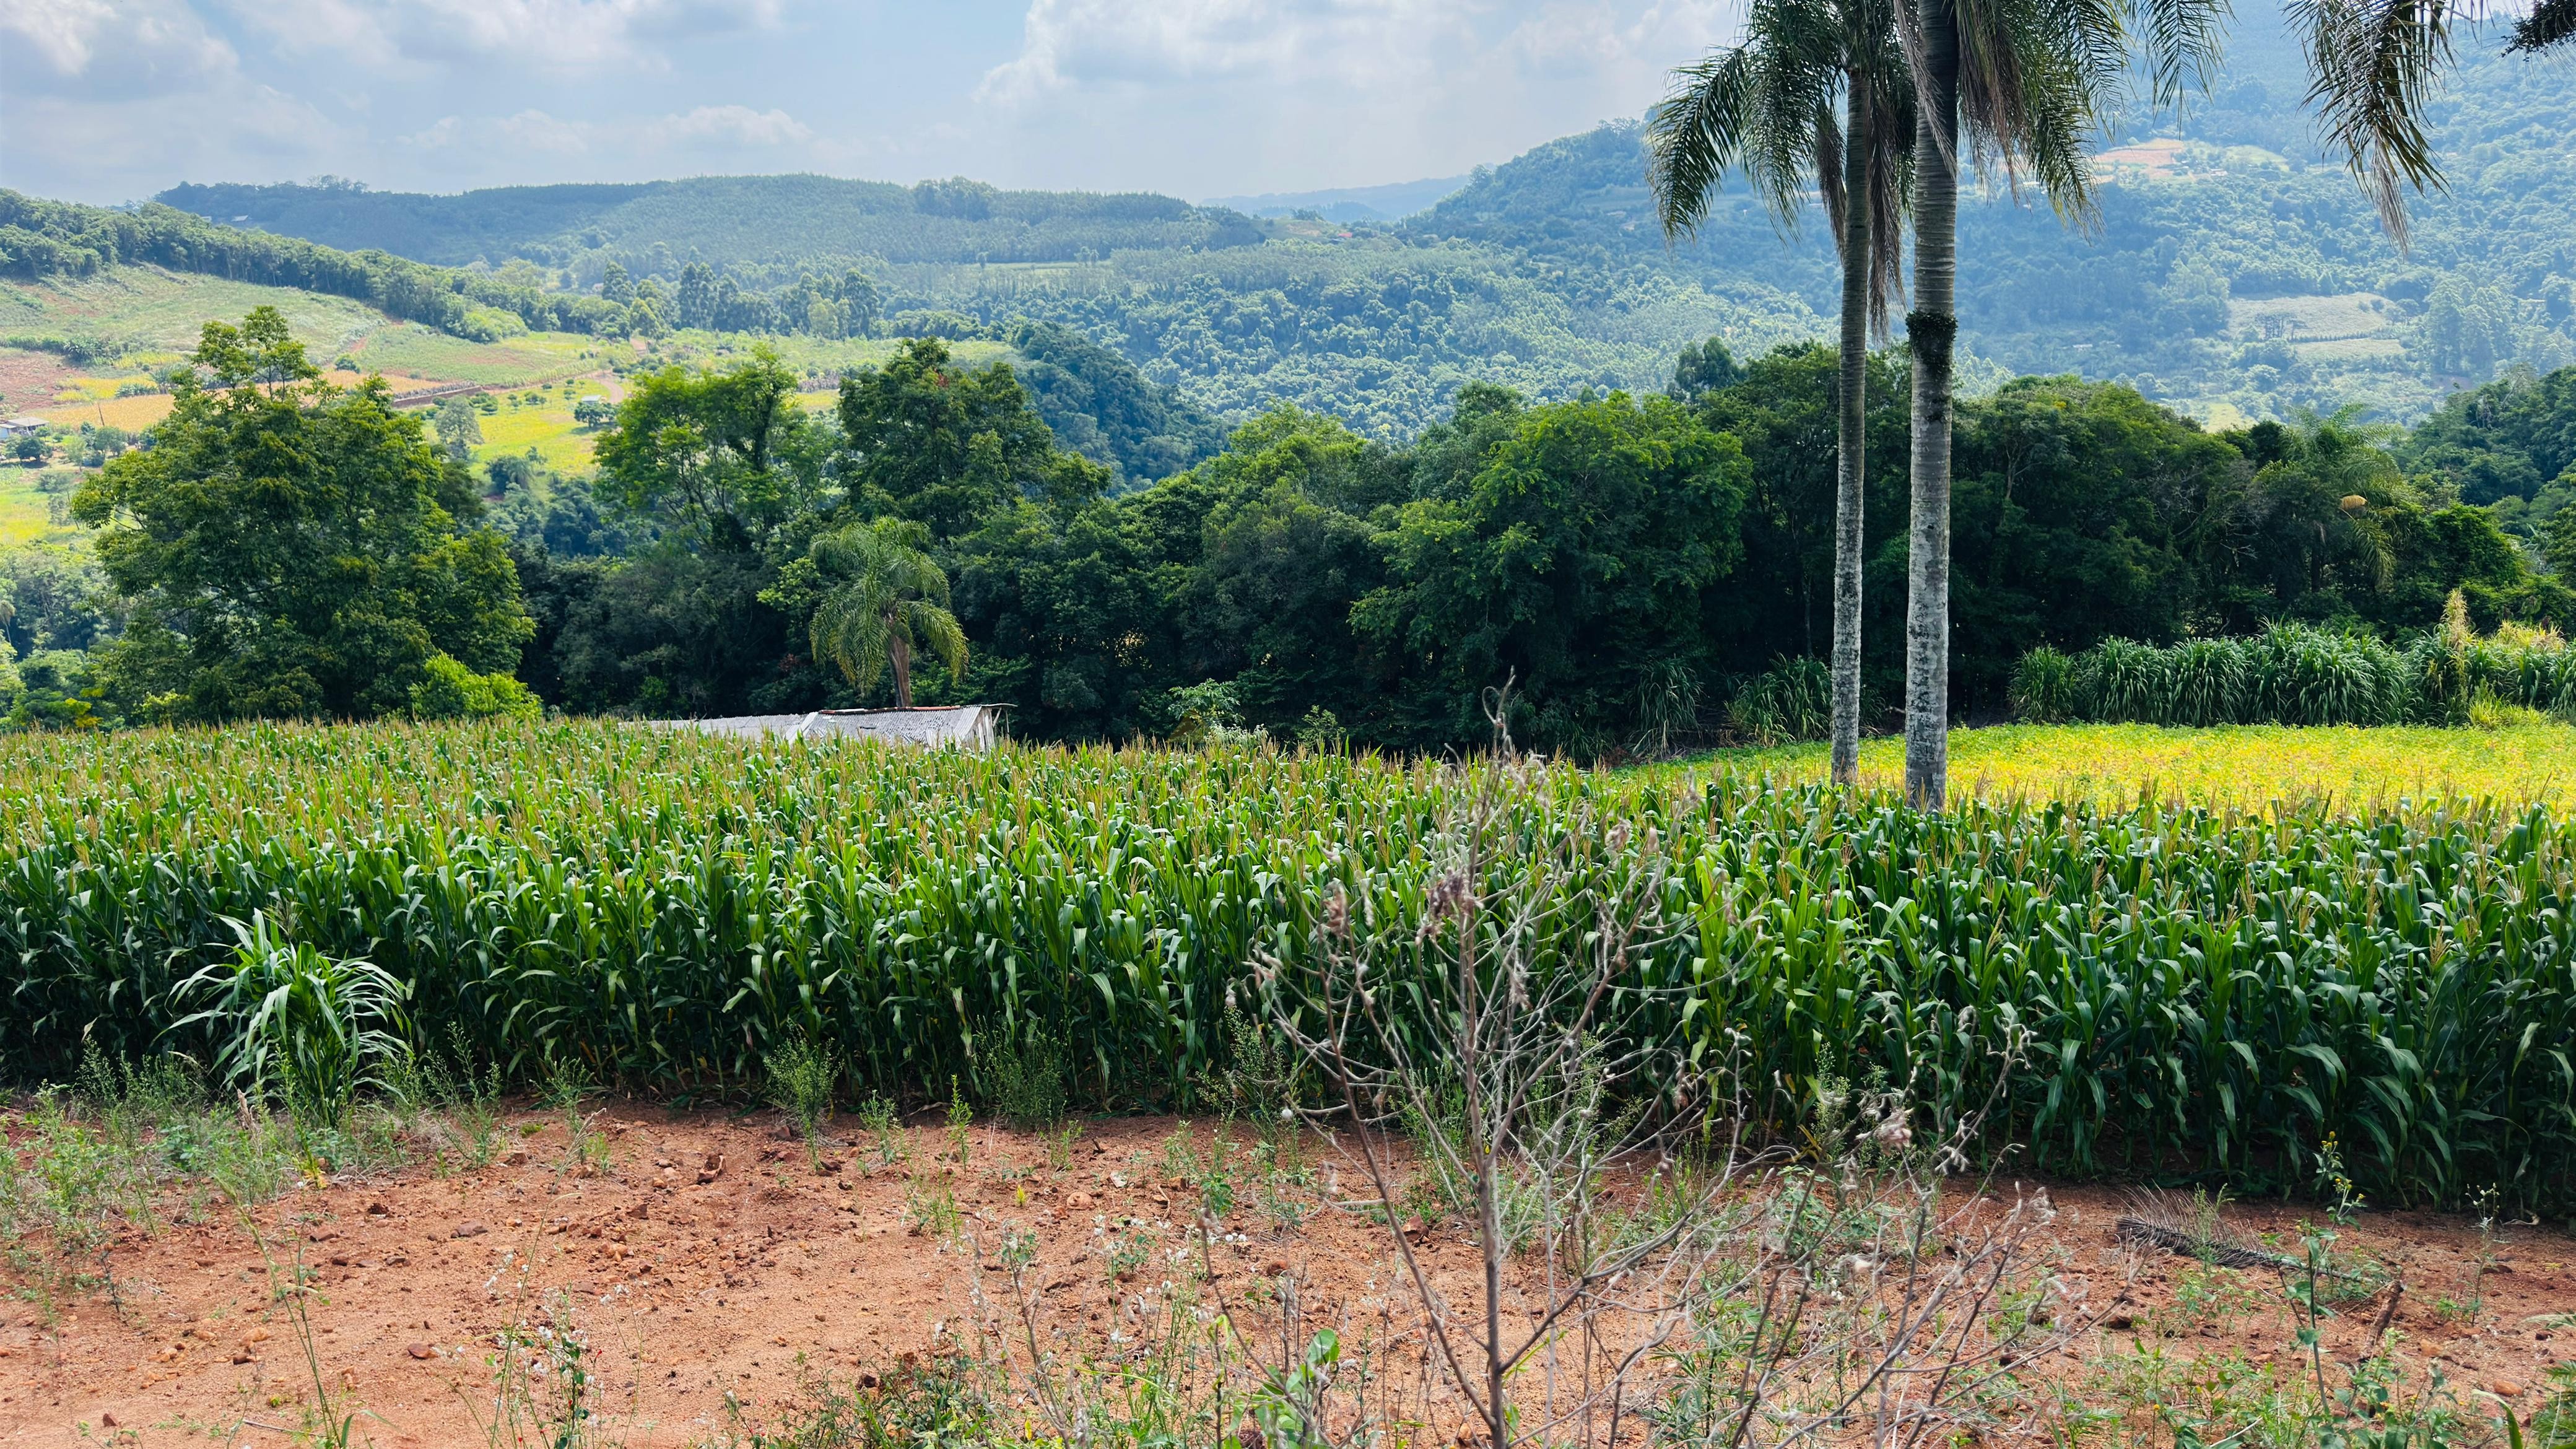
1645	569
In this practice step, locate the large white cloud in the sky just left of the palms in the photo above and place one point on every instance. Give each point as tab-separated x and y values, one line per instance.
1323	92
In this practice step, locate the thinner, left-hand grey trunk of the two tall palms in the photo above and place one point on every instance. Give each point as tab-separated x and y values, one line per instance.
1853	427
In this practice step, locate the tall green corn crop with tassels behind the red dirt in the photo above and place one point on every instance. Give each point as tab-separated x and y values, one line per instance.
2152	991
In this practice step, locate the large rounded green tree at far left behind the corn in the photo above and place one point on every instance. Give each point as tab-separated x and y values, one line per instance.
290	548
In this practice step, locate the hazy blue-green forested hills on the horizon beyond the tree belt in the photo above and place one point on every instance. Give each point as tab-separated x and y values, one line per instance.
2235	269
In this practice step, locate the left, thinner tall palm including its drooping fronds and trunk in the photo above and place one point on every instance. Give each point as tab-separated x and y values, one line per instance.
1768	110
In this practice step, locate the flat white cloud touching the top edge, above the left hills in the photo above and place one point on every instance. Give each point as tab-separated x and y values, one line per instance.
532	35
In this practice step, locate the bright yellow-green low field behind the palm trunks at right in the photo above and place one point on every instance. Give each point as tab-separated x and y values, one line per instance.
2250	764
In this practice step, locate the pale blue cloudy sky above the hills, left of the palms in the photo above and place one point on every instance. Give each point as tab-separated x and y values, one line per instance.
120	99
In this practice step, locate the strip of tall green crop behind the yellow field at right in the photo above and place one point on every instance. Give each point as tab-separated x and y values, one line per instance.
2297	674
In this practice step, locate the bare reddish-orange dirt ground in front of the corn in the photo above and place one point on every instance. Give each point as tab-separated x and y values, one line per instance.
702	1285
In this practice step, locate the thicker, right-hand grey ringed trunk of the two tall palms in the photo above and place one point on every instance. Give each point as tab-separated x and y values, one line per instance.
1931	331
